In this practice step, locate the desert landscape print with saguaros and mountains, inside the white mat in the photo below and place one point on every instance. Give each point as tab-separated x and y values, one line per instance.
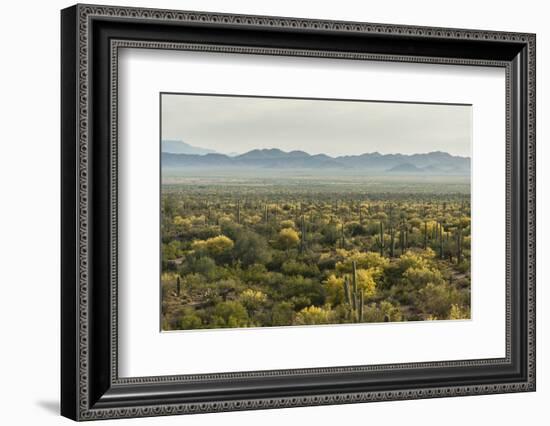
300	211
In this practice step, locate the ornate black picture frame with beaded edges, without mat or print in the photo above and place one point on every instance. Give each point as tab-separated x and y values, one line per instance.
91	37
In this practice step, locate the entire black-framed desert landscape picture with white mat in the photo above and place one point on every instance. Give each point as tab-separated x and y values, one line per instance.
263	212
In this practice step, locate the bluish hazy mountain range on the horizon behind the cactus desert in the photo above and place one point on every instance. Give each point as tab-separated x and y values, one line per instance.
436	162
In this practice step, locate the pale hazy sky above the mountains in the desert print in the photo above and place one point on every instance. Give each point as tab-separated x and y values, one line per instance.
240	124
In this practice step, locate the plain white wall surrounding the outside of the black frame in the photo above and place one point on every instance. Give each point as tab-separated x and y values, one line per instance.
29	213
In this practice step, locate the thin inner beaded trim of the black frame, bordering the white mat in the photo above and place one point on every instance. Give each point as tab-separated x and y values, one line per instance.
116	45
